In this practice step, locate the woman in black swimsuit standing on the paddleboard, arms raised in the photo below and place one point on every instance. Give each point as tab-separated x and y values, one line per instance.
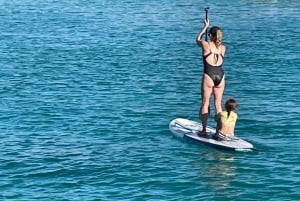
213	79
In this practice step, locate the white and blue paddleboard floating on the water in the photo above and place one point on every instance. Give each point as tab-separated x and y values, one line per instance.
188	130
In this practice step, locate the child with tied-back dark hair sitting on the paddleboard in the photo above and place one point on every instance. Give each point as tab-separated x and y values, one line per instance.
226	121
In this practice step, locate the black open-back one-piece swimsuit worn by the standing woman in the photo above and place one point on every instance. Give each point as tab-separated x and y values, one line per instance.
216	73
